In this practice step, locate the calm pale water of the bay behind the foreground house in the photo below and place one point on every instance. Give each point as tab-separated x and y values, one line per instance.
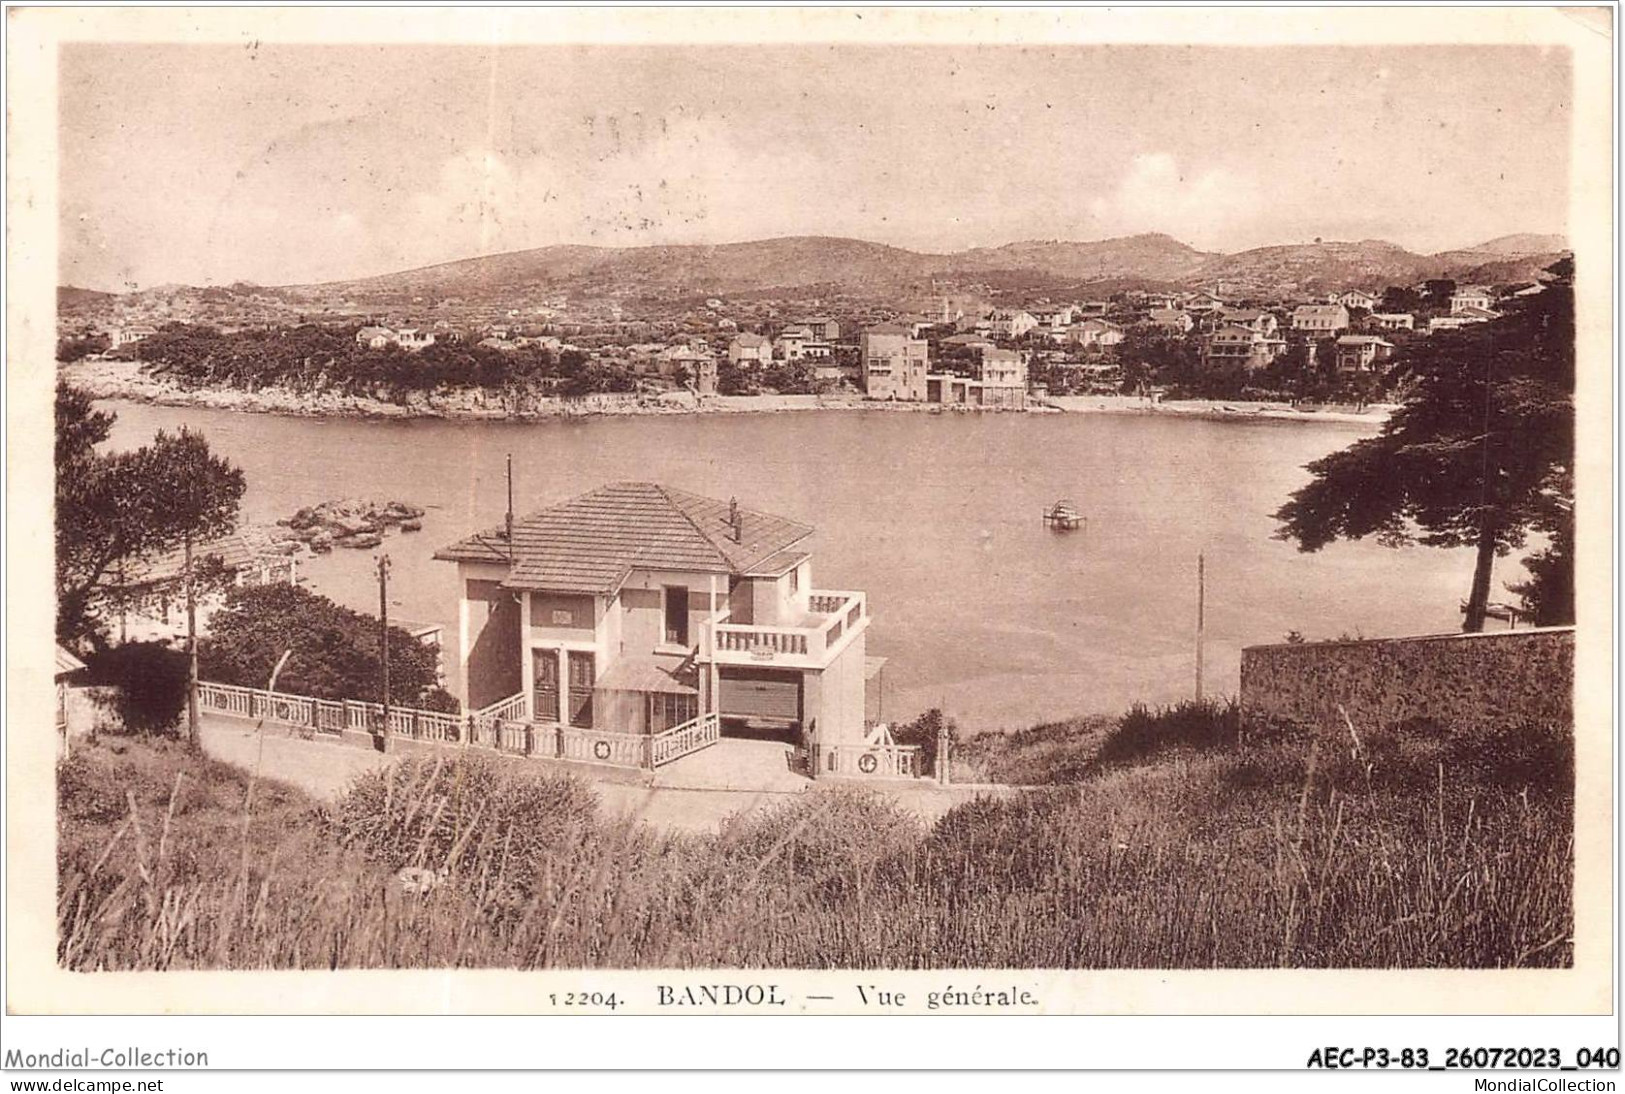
977	606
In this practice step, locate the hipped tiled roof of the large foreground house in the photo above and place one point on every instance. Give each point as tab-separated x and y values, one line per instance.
591	544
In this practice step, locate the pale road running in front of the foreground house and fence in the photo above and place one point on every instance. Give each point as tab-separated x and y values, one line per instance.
695	794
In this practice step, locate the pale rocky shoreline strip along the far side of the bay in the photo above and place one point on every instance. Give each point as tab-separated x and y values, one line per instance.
126	381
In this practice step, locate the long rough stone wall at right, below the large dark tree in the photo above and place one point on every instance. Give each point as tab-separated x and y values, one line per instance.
1499	679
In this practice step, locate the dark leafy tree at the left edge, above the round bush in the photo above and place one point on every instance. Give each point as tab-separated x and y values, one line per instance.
118	508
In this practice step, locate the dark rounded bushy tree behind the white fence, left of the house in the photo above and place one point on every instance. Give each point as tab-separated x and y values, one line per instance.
336	651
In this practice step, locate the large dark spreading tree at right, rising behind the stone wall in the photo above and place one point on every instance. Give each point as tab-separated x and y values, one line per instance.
1478	456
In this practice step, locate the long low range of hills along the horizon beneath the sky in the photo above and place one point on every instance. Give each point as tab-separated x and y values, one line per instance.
854	266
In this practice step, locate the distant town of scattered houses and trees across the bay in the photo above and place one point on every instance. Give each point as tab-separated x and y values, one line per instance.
955	342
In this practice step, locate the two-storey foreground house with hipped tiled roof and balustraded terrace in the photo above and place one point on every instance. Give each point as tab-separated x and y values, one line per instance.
638	609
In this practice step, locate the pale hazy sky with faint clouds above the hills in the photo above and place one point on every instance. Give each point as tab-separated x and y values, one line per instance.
285	165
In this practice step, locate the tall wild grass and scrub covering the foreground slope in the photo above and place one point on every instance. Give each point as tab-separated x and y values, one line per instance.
1177	844
